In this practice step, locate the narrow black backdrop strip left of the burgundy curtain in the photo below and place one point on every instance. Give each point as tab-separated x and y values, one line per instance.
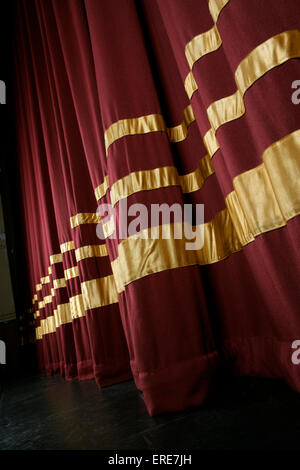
19	352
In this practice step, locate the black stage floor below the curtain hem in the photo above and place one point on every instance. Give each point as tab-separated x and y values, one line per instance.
40	412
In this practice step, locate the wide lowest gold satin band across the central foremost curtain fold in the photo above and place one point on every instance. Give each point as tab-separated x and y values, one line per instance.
139	257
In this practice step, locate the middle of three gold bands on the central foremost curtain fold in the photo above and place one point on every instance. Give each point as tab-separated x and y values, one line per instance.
146	180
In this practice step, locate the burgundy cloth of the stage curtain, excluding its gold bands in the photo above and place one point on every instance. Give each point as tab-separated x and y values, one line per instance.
82	65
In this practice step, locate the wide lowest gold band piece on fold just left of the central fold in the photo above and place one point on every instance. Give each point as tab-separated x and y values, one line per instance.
99	292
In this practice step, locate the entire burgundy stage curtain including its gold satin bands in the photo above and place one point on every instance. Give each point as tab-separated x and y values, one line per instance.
152	102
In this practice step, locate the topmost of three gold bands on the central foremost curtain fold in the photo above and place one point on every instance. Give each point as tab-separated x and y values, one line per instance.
147	124
